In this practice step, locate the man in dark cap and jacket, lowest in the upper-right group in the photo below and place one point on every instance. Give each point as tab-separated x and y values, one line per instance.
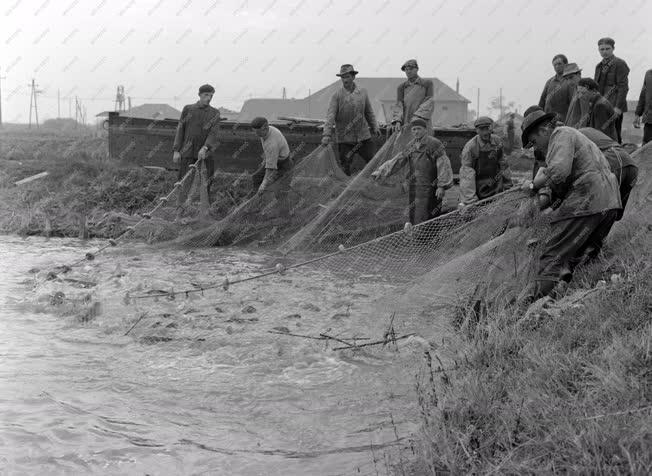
590	109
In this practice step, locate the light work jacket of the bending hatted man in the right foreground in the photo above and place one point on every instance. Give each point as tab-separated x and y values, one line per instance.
575	165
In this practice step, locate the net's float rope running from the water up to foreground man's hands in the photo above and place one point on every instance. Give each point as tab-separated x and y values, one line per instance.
280	269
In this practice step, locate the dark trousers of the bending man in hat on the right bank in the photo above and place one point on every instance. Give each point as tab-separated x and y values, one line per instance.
571	241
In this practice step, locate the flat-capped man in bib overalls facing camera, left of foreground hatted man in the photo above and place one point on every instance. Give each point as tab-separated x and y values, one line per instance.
484	171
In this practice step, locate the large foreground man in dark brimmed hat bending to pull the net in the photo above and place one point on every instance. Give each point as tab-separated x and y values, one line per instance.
586	201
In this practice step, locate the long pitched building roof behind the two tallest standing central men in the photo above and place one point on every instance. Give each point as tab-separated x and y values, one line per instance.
380	90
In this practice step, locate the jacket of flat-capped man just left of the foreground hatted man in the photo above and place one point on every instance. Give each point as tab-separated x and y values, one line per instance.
470	175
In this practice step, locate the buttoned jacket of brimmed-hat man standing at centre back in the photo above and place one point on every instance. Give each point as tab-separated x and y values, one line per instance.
351	115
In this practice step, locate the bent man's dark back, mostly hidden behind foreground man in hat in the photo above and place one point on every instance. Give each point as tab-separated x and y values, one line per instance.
621	163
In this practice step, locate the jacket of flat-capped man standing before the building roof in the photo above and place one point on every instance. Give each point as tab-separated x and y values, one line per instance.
414	98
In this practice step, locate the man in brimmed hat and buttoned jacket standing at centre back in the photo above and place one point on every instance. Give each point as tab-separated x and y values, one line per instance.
352	118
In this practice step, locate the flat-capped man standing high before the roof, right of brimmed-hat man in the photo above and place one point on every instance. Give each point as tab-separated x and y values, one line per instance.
413	98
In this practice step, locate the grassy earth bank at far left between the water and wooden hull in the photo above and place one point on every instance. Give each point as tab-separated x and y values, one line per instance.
85	193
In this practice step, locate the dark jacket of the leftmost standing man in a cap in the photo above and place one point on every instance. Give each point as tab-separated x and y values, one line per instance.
198	126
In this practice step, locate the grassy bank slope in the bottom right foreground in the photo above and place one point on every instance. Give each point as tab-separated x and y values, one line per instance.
568	389
